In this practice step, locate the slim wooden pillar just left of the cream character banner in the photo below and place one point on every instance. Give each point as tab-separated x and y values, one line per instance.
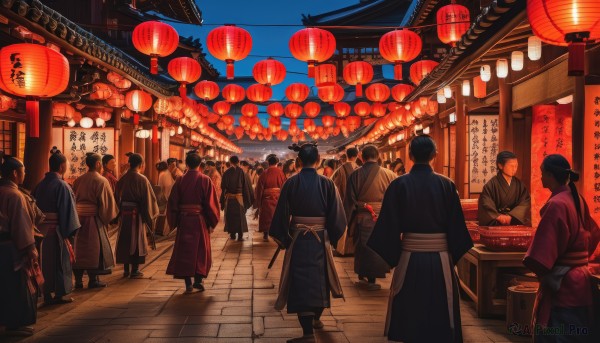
461	145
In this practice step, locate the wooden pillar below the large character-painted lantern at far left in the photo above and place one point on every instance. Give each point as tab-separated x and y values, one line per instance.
37	150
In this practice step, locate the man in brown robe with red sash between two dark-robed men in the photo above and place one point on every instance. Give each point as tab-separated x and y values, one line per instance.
364	194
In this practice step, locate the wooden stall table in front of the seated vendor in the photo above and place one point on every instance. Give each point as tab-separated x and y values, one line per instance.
479	272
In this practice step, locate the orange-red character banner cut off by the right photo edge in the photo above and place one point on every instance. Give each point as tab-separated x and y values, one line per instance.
591	150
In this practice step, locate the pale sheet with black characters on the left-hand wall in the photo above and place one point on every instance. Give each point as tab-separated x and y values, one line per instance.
78	142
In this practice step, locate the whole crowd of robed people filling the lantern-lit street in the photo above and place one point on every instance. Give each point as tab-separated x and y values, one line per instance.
360	205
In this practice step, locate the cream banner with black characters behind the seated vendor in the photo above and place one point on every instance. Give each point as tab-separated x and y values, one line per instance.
483	148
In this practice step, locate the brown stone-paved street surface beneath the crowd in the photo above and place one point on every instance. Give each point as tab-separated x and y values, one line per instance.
237	305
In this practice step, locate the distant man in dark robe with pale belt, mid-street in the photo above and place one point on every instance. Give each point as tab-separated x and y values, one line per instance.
236	198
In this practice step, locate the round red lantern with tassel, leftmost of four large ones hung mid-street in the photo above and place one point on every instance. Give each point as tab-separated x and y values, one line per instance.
155	39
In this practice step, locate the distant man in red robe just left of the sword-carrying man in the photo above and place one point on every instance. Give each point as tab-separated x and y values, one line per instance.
268	188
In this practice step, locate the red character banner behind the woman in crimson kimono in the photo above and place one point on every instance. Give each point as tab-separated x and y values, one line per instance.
551	132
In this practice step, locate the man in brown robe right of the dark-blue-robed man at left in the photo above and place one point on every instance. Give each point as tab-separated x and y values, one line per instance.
96	208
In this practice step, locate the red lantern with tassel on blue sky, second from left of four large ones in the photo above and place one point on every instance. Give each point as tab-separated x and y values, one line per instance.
229	43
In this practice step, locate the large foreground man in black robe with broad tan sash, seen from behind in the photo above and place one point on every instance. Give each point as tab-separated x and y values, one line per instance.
421	232
